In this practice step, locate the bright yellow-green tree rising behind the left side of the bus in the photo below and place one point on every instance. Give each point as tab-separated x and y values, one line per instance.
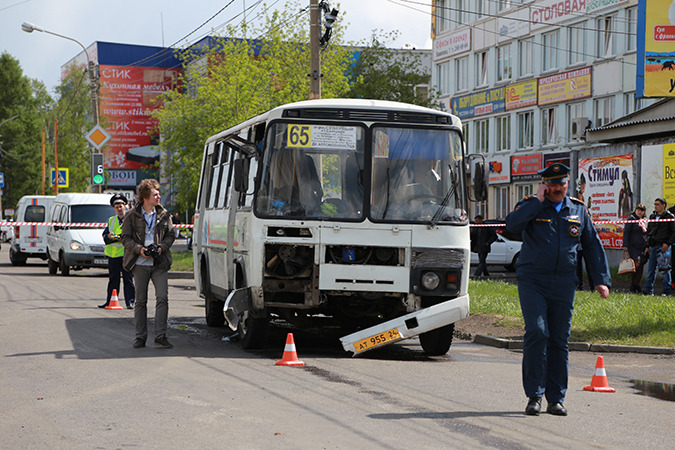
235	79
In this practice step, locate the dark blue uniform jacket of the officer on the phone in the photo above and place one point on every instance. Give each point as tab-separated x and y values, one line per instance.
551	239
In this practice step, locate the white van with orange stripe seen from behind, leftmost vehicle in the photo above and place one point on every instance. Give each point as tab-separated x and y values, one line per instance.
30	241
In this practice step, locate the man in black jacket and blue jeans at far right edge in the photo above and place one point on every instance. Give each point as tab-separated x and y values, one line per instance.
660	236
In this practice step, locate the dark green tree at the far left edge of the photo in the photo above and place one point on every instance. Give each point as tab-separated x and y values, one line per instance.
23	103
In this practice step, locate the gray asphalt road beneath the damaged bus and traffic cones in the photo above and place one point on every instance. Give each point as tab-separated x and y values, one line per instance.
69	378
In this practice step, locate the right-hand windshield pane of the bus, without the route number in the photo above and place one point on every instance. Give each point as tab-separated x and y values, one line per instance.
417	175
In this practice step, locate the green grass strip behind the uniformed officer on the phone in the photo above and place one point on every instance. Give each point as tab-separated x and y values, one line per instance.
624	319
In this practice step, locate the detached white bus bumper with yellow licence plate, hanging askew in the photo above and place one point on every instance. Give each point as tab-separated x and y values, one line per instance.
407	326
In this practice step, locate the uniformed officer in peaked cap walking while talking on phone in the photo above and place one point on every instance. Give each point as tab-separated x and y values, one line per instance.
553	226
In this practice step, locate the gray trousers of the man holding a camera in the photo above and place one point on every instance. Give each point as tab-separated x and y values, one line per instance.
160	279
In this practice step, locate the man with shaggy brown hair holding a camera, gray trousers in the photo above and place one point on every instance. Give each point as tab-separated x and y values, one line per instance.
147	235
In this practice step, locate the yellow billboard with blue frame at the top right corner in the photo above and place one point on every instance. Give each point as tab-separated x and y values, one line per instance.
656	49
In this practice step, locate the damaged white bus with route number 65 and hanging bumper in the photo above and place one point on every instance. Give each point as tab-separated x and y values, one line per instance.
347	211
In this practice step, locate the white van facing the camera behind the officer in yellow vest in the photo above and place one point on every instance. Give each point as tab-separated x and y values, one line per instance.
74	246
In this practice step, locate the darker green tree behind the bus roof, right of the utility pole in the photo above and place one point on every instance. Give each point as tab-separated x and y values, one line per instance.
383	73
